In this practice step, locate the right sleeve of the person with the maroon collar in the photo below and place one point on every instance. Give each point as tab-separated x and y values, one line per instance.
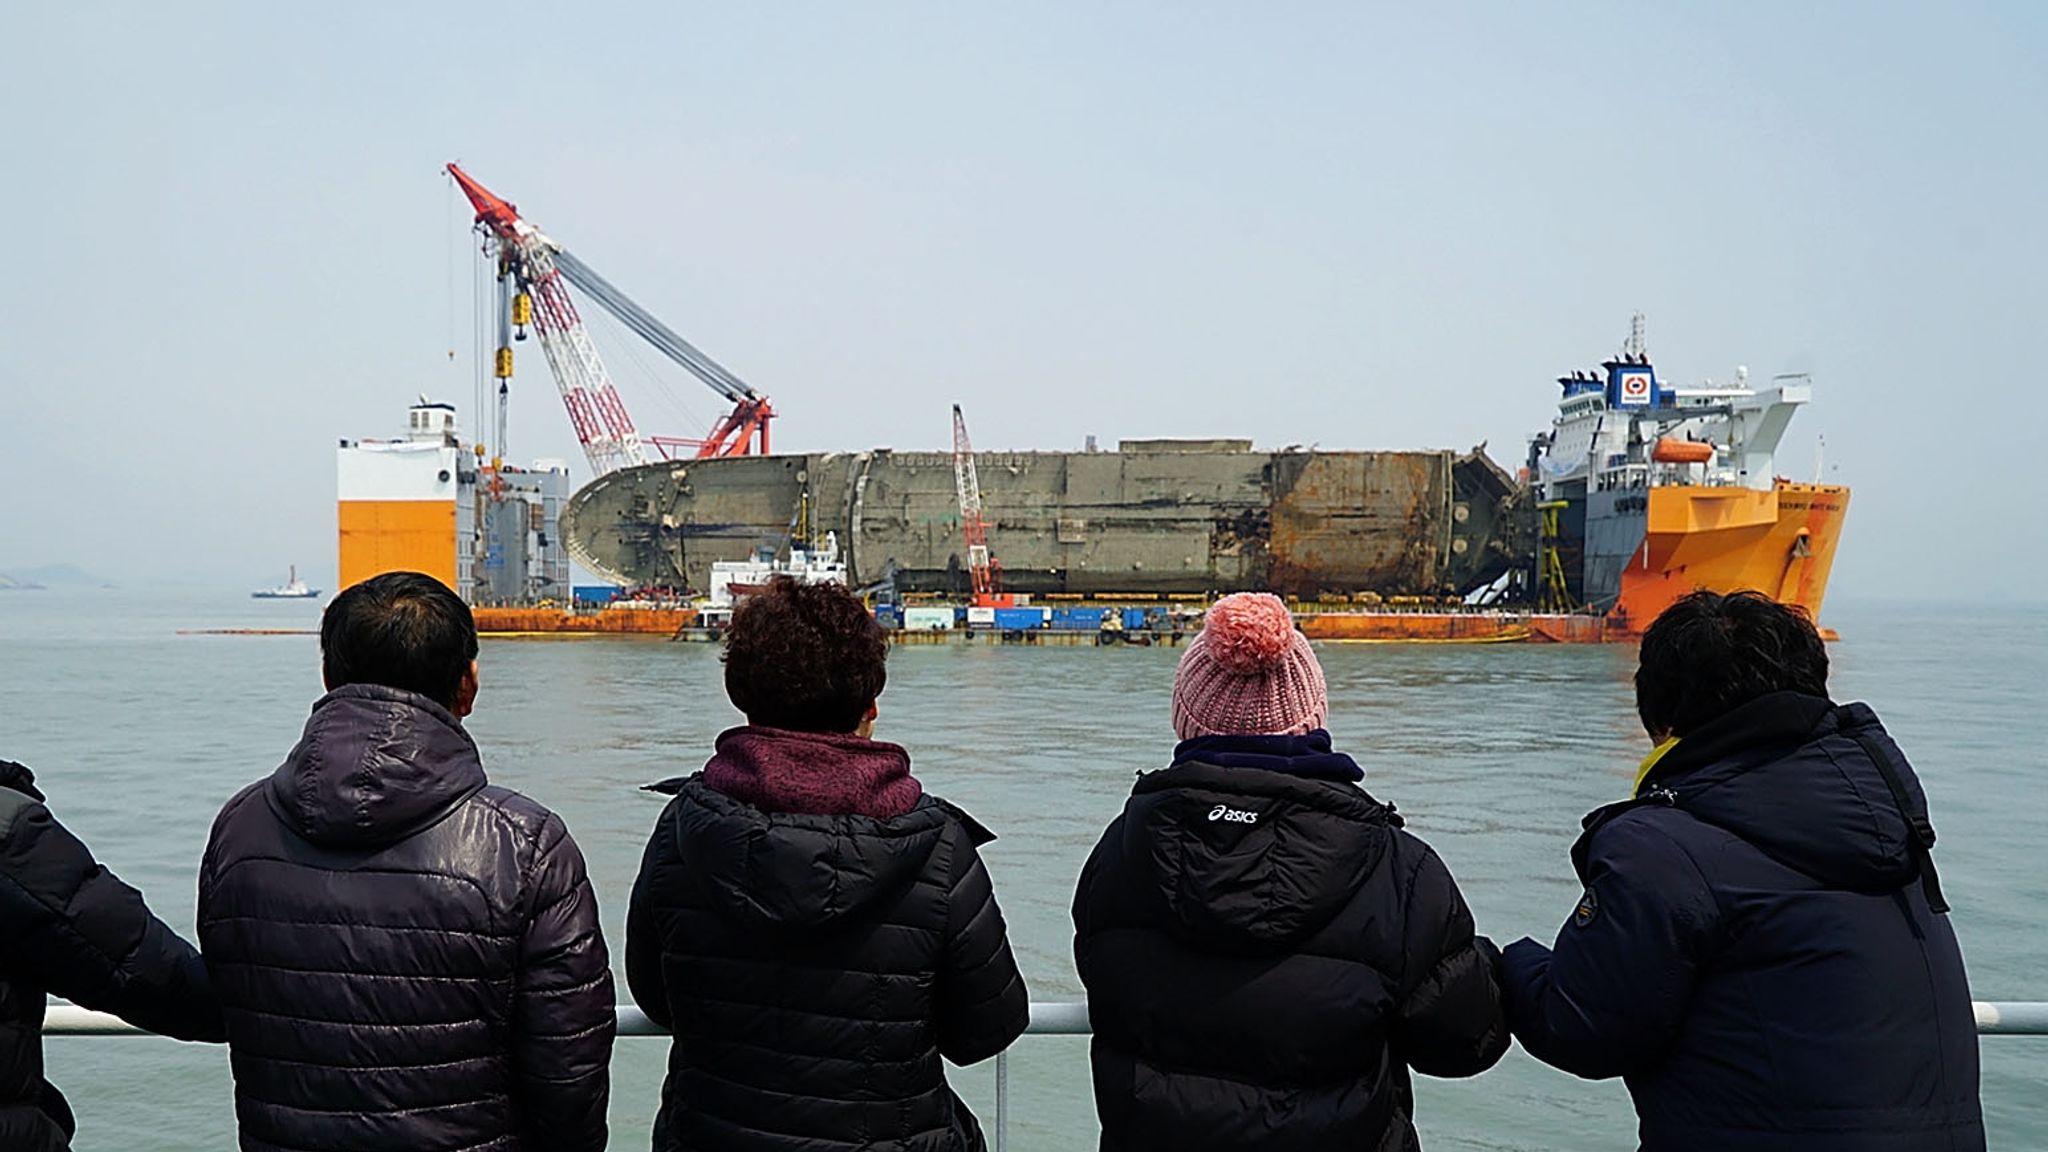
982	1001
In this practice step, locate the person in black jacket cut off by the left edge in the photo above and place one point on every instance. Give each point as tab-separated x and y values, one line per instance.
75	930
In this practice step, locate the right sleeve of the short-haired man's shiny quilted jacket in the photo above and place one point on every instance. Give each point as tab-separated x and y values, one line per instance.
564	1005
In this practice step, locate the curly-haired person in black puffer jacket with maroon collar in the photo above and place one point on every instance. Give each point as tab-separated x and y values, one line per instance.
814	928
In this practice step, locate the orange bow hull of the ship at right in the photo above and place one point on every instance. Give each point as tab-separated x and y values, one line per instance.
1732	540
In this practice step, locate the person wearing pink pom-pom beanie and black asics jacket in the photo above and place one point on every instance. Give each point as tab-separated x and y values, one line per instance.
1267	952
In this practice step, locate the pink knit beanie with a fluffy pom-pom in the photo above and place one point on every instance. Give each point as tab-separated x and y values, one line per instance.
1248	673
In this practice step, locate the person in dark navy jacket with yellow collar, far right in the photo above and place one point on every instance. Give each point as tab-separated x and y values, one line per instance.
1762	950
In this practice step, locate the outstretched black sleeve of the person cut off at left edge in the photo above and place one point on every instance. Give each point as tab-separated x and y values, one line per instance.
75	930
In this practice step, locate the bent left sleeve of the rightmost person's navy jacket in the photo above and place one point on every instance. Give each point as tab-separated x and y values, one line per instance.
1615	989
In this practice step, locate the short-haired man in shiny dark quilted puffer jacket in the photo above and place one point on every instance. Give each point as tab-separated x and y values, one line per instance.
407	954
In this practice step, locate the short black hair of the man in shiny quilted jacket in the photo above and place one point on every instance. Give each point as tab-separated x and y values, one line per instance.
402	630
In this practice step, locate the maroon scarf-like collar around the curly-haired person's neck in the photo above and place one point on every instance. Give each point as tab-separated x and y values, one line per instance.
814	774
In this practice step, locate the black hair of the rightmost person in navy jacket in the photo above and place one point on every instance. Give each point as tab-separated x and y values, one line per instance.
1711	653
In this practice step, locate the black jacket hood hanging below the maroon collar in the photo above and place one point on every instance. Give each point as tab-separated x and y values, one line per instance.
785	870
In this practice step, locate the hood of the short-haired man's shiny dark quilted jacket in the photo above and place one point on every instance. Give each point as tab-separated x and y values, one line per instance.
376	766
